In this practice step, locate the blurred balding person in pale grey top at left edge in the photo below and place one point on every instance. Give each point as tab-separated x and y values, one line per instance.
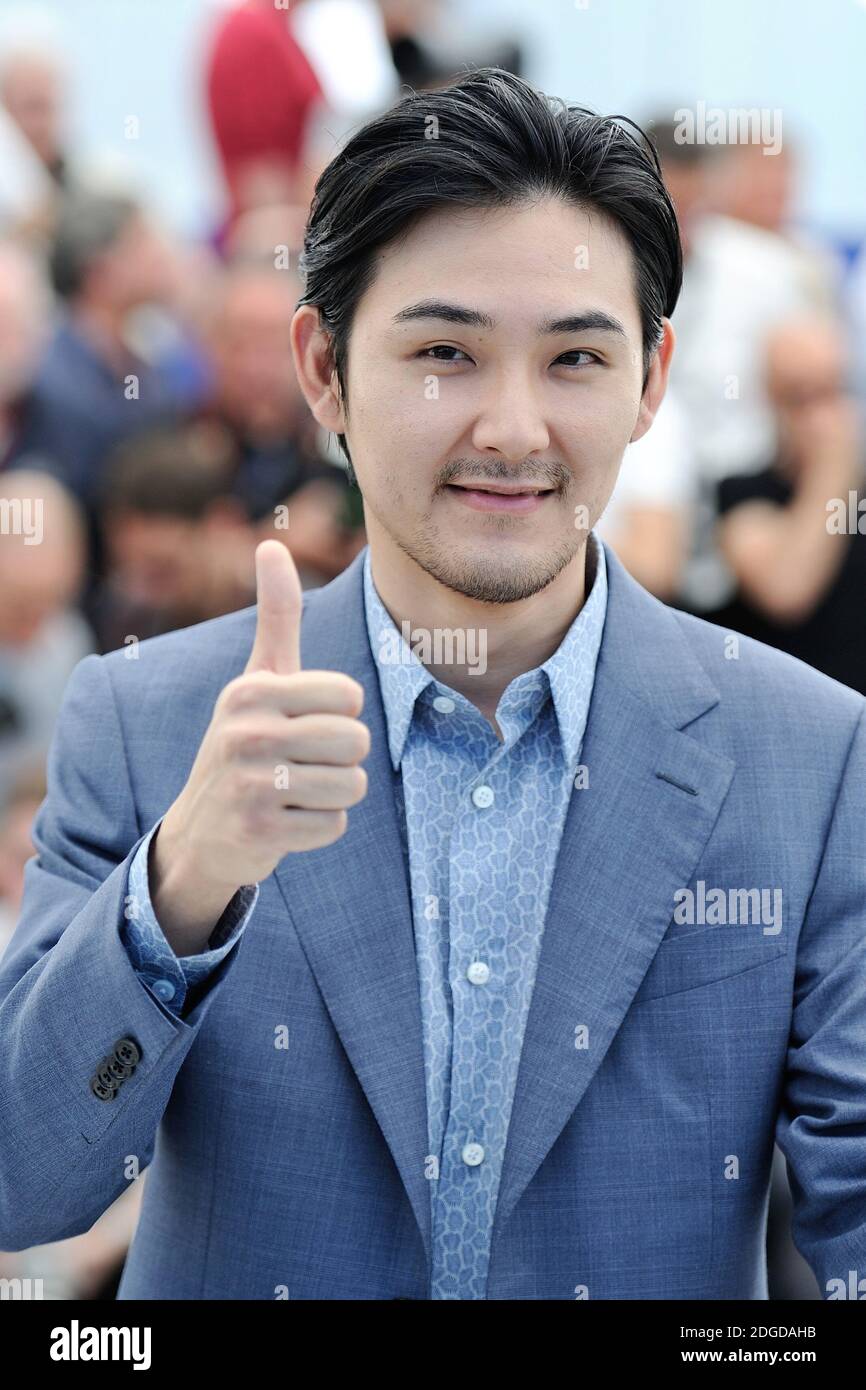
42	633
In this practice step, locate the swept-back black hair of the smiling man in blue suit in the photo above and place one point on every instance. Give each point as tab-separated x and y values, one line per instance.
487	141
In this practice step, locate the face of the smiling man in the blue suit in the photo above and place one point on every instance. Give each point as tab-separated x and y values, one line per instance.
436	404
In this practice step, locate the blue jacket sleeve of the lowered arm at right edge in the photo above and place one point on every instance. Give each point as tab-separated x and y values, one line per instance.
822	1121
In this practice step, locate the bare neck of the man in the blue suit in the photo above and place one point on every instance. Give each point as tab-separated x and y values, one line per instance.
505	640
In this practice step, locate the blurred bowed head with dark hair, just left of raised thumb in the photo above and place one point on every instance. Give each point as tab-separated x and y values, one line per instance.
179	546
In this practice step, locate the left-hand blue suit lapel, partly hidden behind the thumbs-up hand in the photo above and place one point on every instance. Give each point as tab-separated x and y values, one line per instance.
351	907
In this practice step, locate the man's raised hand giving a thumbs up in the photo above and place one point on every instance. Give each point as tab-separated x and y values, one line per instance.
276	772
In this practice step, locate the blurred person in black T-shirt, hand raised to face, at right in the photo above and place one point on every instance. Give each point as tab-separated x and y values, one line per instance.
801	580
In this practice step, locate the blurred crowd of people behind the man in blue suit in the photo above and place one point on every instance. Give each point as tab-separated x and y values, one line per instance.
152	430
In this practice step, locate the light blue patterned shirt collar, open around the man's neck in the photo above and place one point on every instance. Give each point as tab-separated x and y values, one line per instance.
569	672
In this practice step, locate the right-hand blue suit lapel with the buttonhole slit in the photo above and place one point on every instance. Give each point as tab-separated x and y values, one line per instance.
632	837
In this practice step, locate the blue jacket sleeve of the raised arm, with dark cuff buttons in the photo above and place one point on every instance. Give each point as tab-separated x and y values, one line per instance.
88	1054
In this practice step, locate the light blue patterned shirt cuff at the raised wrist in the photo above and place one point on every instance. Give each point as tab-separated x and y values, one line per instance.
165	974
